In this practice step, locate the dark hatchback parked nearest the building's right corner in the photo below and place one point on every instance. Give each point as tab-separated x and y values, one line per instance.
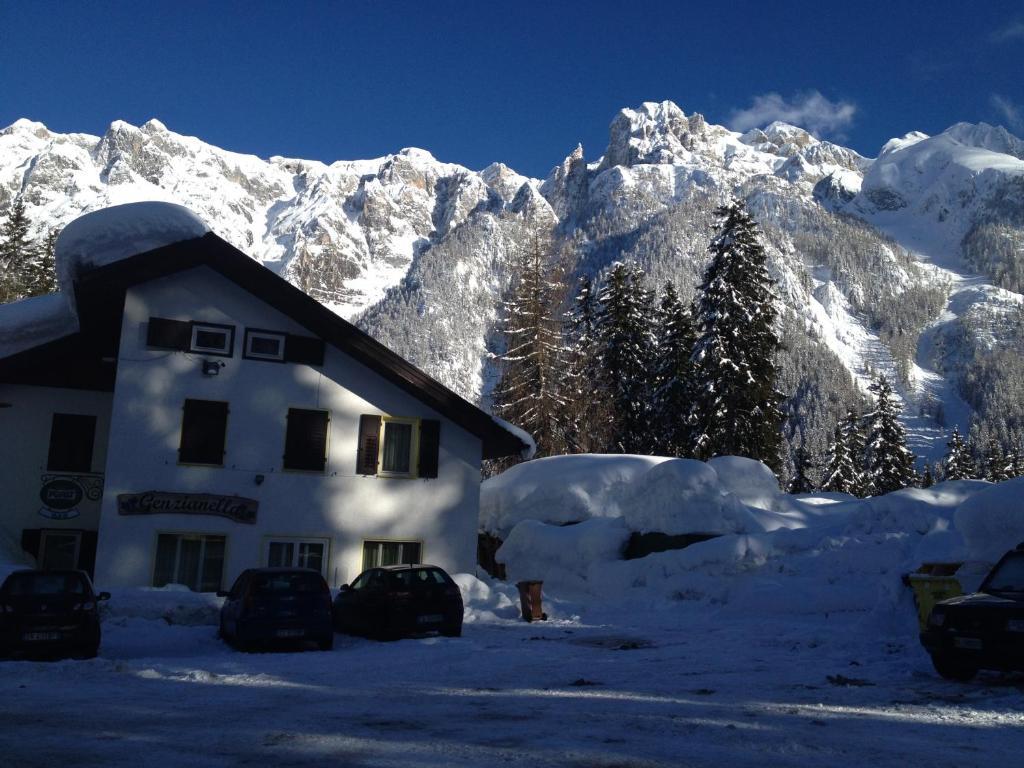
398	601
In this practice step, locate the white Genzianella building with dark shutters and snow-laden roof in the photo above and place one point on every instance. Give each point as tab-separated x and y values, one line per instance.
182	413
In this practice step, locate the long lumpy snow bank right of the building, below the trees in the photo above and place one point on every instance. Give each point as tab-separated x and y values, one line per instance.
777	553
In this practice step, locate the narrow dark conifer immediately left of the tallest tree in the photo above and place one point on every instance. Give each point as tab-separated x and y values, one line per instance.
675	338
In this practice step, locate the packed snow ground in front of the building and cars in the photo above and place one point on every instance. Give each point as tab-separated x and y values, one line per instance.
674	687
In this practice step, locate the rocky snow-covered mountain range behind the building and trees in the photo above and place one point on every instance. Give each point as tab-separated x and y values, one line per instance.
911	265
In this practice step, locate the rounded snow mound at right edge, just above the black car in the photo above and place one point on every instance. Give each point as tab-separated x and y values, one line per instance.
993	522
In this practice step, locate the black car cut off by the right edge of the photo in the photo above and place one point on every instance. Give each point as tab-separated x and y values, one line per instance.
985	630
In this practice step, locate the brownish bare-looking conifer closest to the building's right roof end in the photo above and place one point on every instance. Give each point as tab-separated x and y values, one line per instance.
529	393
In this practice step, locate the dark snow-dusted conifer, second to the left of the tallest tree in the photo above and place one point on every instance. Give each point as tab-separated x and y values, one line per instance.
625	355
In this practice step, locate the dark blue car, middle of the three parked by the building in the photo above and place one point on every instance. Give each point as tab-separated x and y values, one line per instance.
278	606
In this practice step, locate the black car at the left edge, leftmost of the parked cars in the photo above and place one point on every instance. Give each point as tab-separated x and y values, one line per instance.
50	613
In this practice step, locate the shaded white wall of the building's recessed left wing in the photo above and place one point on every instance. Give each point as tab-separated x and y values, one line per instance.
25	443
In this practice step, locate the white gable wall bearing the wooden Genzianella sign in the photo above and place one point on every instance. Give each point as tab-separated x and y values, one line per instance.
152	386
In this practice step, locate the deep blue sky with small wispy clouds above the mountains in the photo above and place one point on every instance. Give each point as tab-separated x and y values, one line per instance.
523	83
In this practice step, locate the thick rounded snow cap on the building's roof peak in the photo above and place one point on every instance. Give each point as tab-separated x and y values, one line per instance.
113	234
